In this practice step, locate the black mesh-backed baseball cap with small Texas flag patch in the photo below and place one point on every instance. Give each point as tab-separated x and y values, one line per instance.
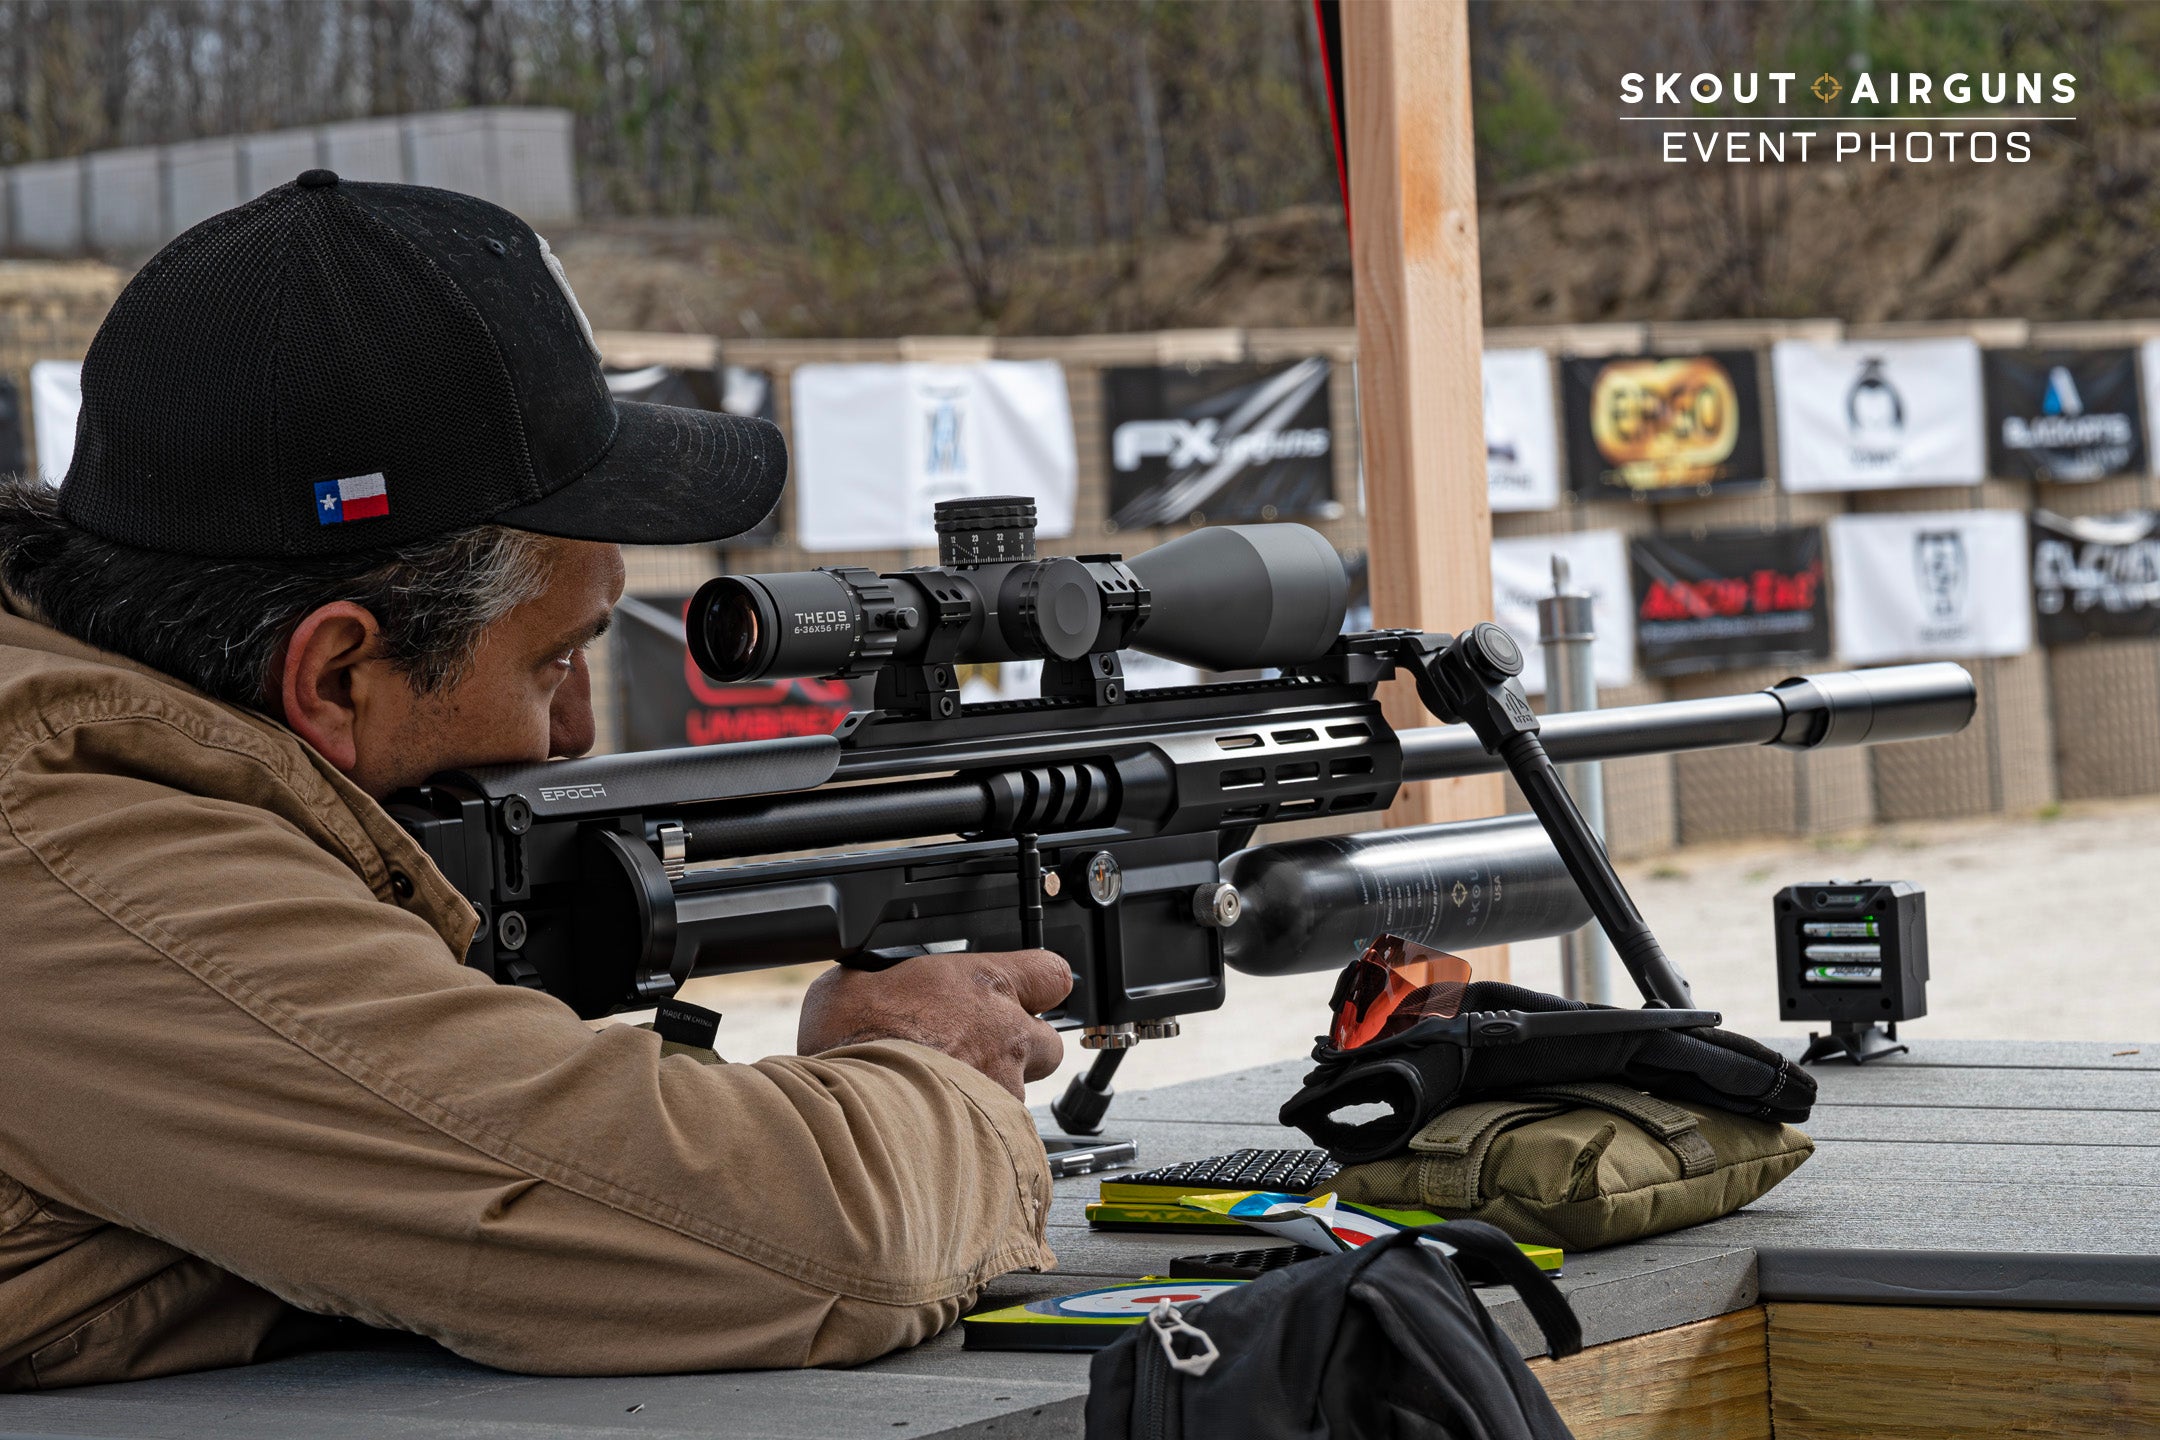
349	366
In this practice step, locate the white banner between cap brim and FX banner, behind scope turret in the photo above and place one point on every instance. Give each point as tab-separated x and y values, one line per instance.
878	446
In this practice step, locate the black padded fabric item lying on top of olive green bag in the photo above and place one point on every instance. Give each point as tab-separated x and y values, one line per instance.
1509	1040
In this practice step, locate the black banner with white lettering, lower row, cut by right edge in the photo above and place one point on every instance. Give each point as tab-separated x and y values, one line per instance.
2096	575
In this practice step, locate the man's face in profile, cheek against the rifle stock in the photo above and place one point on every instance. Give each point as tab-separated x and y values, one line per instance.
526	696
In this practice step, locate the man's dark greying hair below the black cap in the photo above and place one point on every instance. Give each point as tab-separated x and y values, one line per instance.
219	623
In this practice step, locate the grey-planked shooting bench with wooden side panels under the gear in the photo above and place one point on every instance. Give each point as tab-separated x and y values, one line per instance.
1973	1249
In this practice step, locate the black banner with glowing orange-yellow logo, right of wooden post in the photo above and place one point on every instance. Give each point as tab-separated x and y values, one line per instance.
1664	426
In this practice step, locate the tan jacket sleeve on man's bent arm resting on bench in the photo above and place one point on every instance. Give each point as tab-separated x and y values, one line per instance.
299	1085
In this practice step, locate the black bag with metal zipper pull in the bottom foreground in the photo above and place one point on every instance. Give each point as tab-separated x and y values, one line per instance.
1381	1344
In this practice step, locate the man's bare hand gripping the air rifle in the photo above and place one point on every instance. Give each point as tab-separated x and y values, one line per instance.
980	1009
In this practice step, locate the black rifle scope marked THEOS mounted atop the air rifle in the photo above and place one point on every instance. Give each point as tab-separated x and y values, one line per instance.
1232	597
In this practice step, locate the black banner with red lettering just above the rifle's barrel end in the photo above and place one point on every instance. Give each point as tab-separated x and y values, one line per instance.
1729	599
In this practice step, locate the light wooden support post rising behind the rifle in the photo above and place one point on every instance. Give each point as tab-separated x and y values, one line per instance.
1420	336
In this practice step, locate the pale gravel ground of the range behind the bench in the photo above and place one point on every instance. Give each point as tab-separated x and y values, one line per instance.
2025	914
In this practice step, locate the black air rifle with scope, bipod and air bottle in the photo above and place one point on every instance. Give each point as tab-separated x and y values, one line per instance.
1103	824
